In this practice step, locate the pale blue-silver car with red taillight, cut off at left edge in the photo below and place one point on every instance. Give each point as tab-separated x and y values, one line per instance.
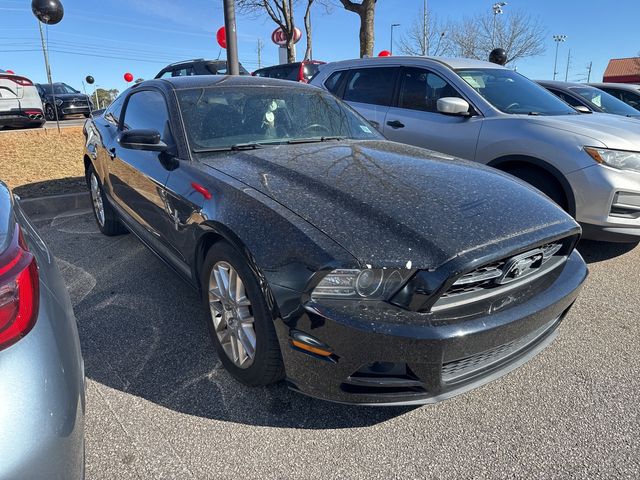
42	395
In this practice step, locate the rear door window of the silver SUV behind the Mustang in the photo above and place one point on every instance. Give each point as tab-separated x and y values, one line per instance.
371	85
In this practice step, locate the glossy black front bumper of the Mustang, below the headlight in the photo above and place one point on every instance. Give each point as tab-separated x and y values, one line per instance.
385	355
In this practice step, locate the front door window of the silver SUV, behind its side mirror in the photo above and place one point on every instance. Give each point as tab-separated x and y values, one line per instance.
422	89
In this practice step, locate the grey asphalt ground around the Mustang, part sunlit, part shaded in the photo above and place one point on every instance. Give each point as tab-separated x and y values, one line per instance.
159	404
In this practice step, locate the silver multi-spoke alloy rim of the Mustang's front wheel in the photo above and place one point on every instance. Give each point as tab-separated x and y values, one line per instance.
232	315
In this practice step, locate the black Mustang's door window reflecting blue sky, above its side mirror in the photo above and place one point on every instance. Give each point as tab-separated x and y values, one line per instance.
147	109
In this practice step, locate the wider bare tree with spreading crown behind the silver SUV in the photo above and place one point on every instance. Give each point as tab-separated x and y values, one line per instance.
518	33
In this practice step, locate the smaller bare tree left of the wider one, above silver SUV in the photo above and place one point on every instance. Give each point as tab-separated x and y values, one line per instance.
426	36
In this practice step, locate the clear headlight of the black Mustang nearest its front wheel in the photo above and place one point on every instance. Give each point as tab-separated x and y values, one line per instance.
369	284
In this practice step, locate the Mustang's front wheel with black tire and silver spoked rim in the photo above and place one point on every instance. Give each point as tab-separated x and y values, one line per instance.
239	320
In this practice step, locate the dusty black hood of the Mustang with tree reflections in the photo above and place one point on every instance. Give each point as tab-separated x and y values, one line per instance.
398	206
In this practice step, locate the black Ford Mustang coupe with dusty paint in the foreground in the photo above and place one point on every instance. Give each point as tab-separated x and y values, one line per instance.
359	270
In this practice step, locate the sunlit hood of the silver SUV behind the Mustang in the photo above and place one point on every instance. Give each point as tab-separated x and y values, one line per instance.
612	131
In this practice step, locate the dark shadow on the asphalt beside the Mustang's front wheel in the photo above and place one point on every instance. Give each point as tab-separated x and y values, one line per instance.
143	332
